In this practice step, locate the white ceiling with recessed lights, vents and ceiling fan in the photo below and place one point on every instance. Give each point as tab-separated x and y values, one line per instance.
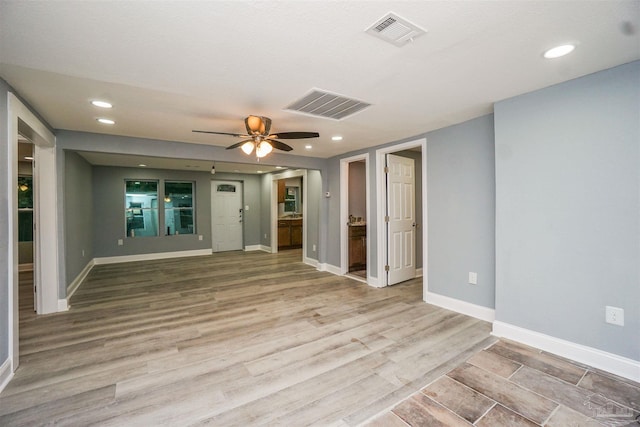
173	66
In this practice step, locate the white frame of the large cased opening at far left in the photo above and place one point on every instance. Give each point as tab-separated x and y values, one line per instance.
46	269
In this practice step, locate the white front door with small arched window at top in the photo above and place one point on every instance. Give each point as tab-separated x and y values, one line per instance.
226	215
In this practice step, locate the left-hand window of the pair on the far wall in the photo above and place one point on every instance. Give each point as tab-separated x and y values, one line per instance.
141	208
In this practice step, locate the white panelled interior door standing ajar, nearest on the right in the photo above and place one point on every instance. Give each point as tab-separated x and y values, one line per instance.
401	226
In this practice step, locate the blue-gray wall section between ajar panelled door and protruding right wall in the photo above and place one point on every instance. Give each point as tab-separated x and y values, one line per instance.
461	211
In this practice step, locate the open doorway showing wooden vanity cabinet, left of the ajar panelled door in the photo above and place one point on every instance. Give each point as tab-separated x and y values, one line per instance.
354	217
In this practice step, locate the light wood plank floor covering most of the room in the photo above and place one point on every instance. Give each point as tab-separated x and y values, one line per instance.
239	338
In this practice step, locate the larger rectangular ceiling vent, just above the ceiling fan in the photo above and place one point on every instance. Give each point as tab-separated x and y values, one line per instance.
328	105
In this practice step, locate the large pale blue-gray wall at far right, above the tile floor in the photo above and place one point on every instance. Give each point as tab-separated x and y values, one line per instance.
568	209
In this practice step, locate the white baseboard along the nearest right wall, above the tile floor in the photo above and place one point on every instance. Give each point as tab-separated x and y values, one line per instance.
618	365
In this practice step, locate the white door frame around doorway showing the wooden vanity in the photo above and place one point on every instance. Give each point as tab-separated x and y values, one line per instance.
344	211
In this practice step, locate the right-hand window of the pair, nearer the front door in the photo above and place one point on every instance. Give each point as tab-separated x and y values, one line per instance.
178	207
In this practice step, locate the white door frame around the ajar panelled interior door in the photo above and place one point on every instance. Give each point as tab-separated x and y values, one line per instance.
381	203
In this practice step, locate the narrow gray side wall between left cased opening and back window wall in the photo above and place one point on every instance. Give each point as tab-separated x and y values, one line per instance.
79	217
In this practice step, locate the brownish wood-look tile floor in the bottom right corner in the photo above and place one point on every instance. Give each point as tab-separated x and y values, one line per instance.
509	384
